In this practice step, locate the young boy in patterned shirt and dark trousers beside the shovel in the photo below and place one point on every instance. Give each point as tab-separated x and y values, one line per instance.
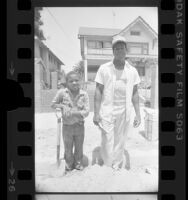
74	104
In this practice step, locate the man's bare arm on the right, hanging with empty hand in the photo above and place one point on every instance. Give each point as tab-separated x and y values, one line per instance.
135	101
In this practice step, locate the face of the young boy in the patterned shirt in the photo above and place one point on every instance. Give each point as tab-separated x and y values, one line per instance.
73	82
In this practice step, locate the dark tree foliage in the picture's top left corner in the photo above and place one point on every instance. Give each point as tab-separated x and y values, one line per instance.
38	23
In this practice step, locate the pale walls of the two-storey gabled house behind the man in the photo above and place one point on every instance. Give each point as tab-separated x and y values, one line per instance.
97	58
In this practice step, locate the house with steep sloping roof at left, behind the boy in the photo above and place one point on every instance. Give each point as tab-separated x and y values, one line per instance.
47	66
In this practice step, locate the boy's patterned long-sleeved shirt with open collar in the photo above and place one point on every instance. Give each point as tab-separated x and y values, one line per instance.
79	103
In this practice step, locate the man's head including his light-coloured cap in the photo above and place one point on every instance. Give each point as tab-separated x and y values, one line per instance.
119	47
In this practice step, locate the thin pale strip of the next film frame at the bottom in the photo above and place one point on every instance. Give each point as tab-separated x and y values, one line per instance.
97	197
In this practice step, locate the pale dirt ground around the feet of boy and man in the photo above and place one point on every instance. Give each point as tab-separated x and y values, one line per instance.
141	177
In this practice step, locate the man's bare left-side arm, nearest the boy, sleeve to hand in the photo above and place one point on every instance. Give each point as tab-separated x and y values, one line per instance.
97	102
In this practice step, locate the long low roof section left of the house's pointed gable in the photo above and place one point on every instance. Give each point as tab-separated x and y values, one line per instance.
98	31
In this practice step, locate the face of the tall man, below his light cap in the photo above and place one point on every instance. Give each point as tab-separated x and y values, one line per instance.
119	51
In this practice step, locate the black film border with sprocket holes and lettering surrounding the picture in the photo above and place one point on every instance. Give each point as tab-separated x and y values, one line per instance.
20	79
